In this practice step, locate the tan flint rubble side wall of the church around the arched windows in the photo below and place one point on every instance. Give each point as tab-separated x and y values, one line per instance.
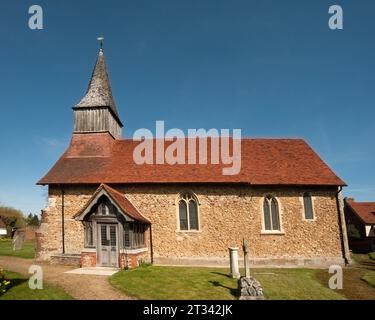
227	214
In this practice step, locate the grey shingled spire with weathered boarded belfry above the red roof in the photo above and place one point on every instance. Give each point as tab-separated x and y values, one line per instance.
97	111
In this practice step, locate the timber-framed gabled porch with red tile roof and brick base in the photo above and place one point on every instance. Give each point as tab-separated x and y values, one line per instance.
116	234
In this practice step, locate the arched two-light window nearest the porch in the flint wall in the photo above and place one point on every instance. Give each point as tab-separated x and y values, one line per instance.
188	212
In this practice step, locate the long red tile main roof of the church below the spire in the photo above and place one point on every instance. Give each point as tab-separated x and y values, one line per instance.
98	158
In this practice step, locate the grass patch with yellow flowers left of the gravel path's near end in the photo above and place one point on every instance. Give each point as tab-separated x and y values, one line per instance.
19	290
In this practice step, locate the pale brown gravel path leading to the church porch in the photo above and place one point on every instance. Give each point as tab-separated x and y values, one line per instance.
82	287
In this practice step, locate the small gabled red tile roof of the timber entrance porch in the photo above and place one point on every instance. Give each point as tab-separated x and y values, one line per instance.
121	201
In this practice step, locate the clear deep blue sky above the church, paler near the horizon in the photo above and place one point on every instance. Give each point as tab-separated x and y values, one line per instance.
270	68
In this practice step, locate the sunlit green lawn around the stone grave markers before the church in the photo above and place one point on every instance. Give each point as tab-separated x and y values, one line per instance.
181	283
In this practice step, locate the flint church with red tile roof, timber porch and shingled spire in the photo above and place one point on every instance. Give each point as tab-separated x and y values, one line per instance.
106	210
